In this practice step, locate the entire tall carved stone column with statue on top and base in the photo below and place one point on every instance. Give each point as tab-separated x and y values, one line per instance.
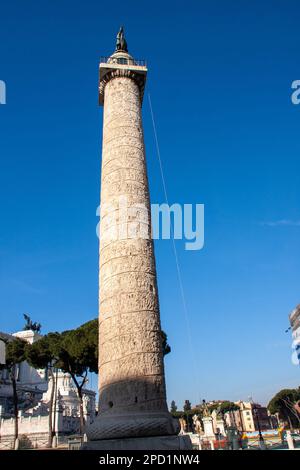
133	412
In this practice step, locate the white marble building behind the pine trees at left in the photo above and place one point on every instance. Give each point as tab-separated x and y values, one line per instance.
34	387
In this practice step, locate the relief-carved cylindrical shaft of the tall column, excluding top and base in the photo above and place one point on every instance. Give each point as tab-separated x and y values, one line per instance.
130	356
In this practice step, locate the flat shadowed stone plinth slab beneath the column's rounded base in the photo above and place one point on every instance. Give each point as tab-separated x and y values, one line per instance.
141	443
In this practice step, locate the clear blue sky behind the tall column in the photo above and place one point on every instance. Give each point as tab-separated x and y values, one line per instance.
220	74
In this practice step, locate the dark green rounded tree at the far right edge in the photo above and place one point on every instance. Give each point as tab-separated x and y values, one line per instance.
283	403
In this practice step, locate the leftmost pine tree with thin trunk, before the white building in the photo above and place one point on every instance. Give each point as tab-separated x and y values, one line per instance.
14	355
